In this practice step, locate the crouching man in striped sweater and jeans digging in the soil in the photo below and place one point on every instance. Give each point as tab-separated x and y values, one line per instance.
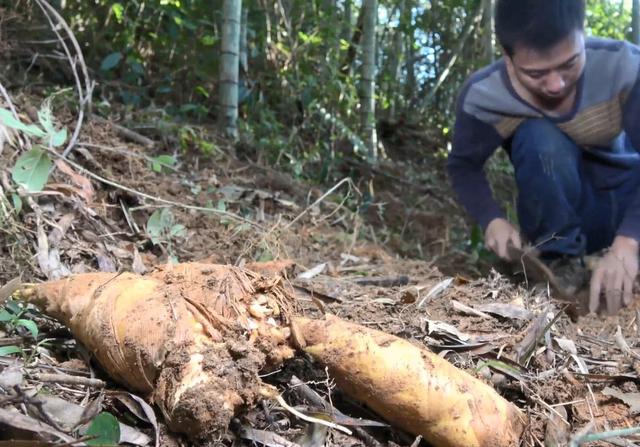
566	108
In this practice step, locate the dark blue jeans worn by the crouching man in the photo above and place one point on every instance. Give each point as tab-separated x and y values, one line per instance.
570	201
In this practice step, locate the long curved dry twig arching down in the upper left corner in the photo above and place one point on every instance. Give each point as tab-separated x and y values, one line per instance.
83	96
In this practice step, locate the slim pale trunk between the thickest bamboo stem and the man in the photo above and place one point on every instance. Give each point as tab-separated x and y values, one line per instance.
367	102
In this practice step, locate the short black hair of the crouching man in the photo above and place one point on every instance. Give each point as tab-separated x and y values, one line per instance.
537	24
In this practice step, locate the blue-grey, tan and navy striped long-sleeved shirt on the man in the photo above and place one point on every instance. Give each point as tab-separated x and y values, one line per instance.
606	111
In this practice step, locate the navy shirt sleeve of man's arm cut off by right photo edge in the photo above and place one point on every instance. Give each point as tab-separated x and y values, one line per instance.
630	225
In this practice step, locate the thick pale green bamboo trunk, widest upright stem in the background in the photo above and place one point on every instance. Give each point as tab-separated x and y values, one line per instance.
229	67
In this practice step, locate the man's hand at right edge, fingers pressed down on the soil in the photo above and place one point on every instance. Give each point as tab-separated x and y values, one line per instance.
614	275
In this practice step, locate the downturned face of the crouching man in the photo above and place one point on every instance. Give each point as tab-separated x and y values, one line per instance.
550	75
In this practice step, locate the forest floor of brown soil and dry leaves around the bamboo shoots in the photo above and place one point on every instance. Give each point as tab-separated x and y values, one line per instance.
400	266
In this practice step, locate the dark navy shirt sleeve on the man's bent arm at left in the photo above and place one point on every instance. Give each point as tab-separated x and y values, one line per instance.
473	143
